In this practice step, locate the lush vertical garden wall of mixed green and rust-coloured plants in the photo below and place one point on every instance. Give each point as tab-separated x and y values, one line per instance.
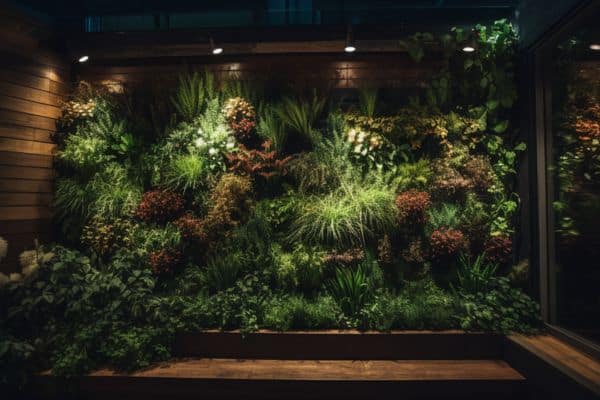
232	205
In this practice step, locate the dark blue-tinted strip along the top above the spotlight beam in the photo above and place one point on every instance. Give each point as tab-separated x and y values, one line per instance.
143	15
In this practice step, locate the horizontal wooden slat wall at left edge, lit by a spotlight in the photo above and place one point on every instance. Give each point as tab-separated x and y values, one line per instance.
33	81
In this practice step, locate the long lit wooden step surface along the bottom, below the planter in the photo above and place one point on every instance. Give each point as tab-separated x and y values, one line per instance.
328	370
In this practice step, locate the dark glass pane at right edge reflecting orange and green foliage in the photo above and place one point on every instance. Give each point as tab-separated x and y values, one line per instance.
576	173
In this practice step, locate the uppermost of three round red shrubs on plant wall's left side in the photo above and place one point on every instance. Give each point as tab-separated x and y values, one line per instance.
159	206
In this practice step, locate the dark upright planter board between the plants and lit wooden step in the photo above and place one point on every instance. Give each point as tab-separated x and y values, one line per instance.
346	345
